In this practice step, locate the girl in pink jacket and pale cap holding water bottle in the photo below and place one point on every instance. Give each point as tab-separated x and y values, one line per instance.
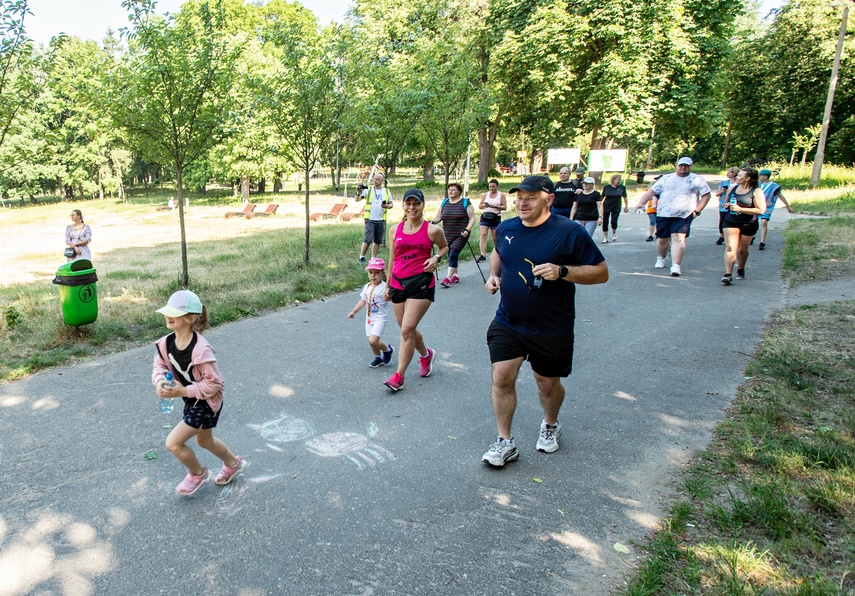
190	359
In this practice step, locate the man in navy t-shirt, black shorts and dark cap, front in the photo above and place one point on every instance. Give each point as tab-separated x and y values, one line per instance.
538	259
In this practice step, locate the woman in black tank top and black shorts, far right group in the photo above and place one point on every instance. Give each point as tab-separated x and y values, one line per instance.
744	202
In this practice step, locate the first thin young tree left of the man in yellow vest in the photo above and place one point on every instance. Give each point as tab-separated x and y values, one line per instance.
301	91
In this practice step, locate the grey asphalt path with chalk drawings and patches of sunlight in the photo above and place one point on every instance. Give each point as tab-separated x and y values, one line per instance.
352	489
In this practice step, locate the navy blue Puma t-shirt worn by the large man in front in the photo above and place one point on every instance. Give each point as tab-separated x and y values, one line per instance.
550	309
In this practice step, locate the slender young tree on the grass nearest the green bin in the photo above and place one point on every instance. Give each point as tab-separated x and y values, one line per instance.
171	93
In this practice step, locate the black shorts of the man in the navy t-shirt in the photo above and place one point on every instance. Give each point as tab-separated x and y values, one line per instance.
549	355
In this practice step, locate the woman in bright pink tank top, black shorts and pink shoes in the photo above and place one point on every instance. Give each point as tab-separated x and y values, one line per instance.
412	285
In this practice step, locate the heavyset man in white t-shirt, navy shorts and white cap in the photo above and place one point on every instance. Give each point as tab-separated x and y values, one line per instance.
682	197
